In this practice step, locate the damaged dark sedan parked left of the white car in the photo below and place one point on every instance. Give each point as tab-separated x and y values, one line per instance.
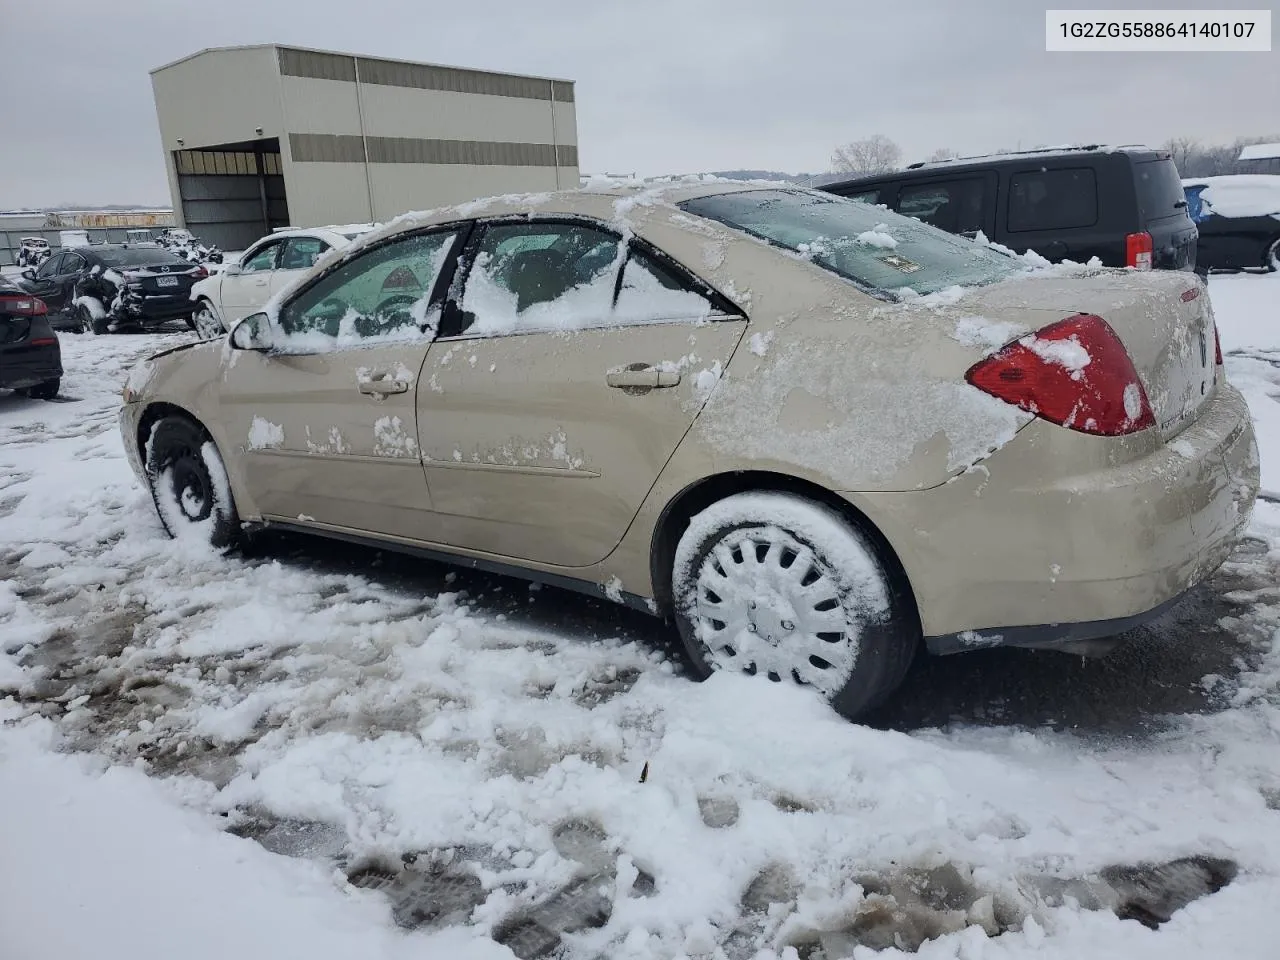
111	287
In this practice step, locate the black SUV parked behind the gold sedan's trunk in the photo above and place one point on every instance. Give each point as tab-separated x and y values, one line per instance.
1122	205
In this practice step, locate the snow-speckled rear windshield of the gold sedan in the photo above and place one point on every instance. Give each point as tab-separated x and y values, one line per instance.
881	252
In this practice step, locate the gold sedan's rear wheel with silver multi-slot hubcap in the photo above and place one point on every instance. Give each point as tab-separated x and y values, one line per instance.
776	586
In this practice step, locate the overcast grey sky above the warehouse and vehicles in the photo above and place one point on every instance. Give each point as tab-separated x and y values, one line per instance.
662	88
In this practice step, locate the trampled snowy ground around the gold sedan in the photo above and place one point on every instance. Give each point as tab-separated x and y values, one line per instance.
317	752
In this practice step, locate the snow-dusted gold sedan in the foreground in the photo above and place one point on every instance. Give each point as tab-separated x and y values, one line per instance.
813	433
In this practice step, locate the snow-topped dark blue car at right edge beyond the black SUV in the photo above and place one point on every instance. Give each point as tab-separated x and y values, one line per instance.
1238	218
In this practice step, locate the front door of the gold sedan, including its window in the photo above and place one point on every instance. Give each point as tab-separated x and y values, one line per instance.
324	424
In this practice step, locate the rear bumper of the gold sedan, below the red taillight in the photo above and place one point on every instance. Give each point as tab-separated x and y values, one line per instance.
1002	556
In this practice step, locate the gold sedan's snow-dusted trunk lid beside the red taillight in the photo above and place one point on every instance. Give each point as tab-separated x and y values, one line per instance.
1164	319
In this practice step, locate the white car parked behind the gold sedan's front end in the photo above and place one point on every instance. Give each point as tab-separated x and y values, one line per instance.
268	267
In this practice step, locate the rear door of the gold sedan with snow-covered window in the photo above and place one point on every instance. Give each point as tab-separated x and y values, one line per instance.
559	390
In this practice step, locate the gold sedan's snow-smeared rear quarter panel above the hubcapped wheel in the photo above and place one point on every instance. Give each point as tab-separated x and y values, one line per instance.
830	383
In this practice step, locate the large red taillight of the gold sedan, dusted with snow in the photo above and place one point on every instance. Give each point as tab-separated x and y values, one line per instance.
1075	373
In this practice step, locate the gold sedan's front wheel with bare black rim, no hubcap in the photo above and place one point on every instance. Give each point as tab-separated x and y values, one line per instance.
189	483
